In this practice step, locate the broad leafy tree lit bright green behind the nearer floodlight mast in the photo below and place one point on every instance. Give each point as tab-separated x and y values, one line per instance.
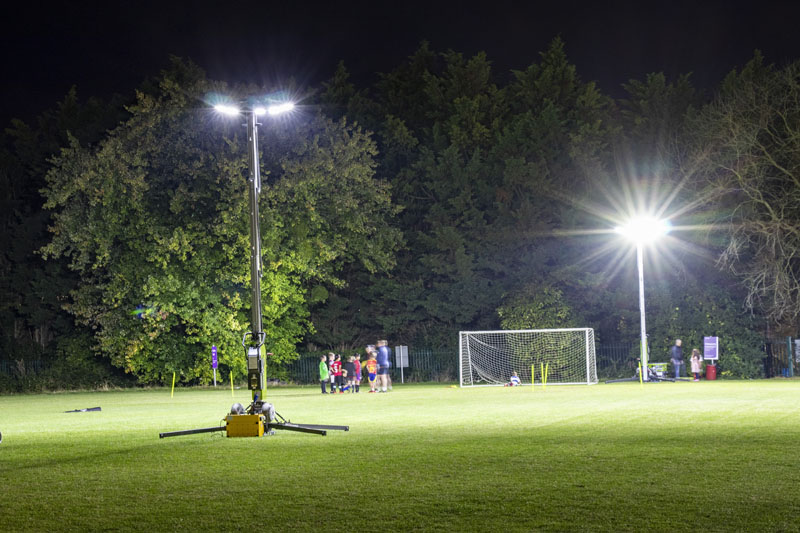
153	220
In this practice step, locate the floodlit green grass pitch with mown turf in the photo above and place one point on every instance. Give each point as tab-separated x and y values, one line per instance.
709	456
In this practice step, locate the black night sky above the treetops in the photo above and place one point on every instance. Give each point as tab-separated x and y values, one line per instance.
106	47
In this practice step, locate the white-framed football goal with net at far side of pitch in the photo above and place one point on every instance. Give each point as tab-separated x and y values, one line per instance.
564	356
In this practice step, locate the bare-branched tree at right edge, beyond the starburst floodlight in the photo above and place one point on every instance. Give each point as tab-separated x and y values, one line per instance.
747	148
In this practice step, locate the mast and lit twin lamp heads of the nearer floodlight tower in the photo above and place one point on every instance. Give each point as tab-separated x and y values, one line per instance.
253	340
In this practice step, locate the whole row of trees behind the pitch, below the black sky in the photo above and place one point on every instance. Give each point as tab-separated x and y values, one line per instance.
435	200
